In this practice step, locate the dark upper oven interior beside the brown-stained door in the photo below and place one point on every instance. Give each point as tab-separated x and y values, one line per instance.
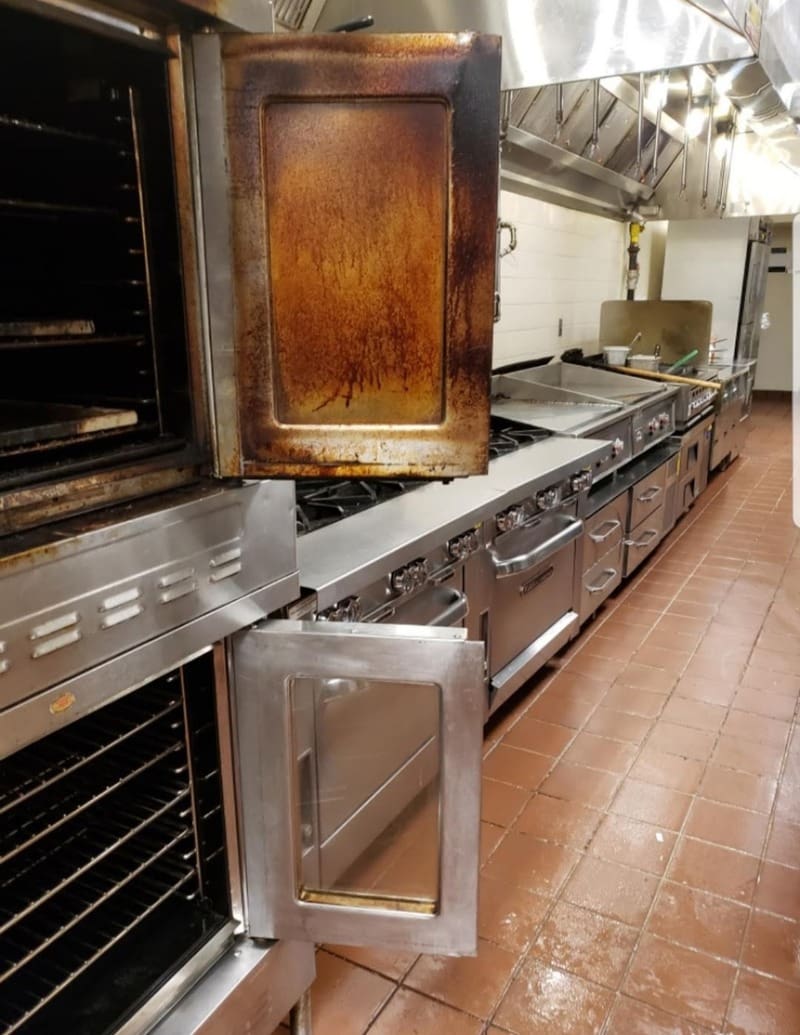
93	342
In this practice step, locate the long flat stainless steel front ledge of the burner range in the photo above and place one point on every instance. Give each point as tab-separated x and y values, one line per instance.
340	559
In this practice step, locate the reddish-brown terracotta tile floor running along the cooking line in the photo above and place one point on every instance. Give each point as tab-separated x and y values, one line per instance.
642	808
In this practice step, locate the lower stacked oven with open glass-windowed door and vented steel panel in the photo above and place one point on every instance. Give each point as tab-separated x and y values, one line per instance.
156	779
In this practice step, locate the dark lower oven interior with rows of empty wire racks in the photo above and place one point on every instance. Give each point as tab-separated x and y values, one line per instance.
113	866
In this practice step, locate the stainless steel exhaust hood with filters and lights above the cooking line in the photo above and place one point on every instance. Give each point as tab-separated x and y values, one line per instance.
631	109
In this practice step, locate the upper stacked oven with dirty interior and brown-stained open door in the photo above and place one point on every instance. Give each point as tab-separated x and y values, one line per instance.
200	273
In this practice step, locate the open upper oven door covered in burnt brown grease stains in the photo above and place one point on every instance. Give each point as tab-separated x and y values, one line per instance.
348	190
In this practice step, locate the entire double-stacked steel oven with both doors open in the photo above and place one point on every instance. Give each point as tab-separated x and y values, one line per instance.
122	335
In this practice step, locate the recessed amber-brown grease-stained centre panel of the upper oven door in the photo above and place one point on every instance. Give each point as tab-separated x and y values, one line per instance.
358	234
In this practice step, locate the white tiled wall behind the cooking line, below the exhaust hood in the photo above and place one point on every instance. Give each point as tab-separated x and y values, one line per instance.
567	264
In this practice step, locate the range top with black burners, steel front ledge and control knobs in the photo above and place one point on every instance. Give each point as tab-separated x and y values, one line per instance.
441	525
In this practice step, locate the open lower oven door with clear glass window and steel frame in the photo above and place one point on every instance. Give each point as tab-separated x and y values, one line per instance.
360	751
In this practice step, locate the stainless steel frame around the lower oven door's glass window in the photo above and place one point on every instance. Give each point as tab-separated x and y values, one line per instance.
265	660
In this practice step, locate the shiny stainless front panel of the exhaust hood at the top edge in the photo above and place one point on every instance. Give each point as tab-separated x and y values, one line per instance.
547	42
